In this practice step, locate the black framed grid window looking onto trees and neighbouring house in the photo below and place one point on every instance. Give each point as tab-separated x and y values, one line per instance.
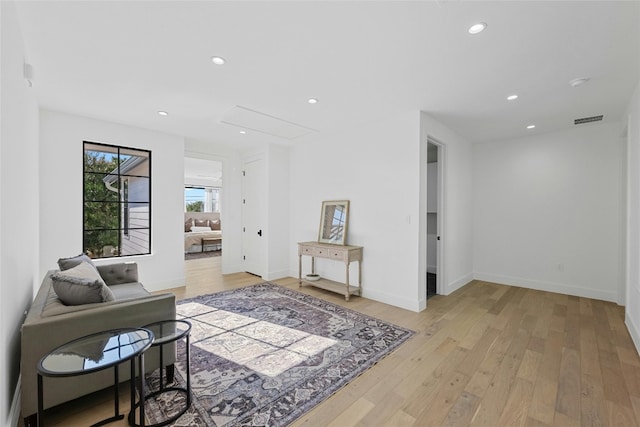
116	201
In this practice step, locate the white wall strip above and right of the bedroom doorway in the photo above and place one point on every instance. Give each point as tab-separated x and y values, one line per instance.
231	198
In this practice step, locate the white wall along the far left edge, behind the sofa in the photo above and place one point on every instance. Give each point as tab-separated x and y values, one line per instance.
19	202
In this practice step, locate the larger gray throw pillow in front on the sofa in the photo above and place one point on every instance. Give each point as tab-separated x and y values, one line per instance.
81	285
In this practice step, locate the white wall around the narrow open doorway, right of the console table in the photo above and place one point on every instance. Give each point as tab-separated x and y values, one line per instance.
456	209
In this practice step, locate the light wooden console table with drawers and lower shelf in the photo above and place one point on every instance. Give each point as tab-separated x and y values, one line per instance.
343	253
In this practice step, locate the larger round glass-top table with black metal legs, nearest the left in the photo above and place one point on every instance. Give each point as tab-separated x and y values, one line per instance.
94	353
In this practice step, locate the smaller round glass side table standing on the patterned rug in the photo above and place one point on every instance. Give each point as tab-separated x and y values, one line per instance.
165	332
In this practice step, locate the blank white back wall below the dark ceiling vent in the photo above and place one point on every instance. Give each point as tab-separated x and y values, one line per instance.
549	211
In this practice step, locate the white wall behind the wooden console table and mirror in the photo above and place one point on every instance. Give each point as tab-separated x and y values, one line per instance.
374	166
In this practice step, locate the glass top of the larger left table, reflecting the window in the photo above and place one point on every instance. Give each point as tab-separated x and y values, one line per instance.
95	352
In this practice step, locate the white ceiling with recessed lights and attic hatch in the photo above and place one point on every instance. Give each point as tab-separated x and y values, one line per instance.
122	61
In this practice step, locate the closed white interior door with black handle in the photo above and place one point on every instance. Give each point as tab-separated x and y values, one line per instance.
253	216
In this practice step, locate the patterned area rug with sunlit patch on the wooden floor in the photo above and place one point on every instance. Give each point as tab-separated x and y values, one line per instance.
264	355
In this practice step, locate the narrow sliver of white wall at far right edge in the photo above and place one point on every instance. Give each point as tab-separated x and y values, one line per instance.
633	219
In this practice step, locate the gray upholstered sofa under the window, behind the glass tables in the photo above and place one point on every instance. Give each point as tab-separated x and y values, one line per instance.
50	323
